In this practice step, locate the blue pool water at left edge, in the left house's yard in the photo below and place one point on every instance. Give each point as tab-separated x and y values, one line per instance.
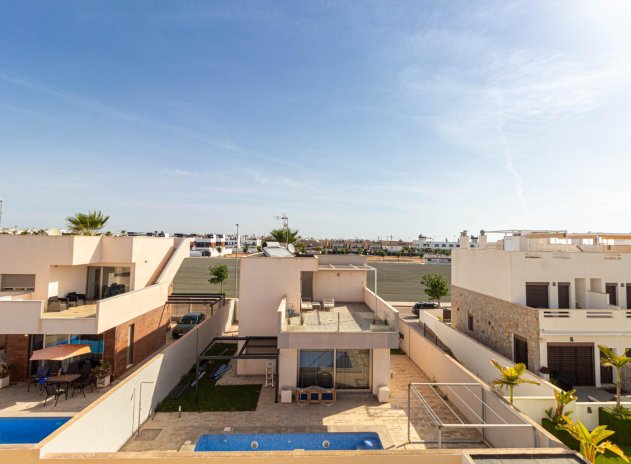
28	429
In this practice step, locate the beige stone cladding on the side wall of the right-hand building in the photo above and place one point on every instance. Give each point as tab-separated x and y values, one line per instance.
495	321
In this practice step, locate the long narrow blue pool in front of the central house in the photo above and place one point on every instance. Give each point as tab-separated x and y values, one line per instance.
289	441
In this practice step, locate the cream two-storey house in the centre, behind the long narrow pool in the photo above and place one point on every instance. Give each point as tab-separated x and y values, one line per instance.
331	330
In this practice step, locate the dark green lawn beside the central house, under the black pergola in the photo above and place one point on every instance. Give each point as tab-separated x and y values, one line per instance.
214	397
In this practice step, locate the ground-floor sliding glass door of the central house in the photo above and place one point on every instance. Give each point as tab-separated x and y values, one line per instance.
342	369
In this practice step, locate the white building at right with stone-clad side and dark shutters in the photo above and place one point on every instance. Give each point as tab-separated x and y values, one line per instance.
547	298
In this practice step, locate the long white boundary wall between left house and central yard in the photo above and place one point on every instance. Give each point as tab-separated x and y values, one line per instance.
107	424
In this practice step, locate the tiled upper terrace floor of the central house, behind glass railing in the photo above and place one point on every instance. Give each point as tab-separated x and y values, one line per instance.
344	317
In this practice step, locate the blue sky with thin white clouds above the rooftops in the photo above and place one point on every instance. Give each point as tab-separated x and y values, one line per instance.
355	119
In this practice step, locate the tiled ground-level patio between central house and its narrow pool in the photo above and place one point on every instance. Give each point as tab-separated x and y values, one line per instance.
352	412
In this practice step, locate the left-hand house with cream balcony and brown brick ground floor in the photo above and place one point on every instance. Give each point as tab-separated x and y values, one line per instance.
105	292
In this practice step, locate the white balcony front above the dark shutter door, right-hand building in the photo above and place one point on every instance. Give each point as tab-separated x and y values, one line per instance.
572	322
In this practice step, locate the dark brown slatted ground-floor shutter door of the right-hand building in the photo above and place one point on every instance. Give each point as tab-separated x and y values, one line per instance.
574	363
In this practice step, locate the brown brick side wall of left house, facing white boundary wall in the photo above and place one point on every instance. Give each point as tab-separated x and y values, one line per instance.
150	331
